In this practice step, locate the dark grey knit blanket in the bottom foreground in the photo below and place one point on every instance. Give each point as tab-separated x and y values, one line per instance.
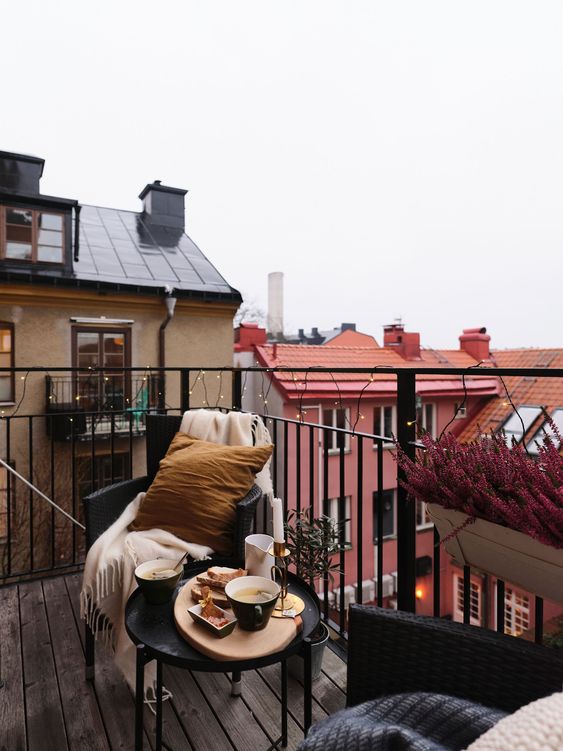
403	722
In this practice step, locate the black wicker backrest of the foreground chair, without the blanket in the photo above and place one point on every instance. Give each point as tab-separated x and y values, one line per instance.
393	652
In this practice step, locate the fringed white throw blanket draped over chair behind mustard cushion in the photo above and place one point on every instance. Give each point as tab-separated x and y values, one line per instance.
111	561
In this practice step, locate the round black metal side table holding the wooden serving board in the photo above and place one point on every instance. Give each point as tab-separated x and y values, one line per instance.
153	630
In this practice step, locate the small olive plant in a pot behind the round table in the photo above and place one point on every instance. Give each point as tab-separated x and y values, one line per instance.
313	542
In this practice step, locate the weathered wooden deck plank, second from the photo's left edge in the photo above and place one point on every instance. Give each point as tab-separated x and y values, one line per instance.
45	723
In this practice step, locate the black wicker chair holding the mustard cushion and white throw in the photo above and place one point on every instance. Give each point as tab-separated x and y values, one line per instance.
104	506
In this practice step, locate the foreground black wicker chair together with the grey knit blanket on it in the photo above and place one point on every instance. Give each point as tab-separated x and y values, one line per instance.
391	652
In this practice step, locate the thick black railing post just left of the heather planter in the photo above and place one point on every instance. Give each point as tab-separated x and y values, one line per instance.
406	510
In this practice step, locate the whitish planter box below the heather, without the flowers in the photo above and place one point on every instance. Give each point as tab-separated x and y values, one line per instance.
505	553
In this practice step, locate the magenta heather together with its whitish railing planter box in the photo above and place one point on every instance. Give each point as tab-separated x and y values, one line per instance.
496	507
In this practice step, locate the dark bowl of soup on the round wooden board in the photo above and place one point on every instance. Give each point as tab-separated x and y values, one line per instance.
253	599
